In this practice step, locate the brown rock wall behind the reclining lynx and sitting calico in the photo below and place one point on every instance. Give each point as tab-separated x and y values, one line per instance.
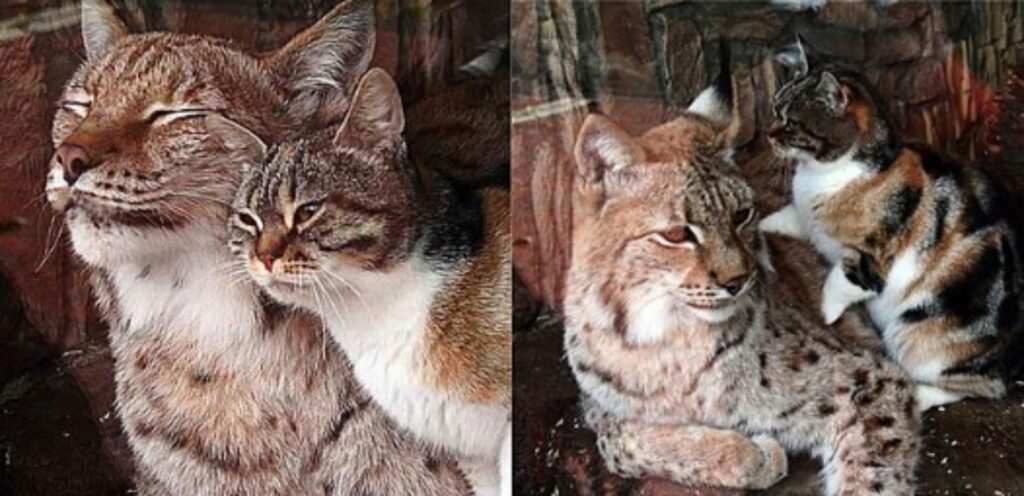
938	65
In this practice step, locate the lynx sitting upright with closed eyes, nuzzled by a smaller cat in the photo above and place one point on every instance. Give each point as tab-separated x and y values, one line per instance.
220	391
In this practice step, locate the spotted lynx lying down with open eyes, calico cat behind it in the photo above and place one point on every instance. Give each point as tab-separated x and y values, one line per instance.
696	341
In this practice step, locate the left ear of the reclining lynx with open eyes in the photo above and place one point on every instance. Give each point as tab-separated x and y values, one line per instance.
603	147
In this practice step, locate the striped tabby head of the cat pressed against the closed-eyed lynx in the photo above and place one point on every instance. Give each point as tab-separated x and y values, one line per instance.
324	212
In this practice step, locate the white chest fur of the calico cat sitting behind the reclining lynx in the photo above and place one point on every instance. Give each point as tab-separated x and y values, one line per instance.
816	183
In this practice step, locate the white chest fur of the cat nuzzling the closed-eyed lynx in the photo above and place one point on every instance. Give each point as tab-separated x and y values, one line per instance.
382	332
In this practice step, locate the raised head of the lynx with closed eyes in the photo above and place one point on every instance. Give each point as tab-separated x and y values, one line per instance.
152	130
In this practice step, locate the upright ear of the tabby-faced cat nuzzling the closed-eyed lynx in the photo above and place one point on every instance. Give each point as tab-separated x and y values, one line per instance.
376	112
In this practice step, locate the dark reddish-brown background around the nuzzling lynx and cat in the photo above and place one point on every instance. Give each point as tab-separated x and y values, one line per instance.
59	434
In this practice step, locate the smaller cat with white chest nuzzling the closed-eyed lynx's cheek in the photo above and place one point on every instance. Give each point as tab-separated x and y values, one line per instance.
414	284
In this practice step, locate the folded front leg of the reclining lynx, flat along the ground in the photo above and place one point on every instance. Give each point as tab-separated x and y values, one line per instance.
691	454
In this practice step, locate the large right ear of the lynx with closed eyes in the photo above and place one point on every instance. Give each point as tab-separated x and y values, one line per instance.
323	64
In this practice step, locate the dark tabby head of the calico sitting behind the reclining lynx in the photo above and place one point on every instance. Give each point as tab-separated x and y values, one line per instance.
824	114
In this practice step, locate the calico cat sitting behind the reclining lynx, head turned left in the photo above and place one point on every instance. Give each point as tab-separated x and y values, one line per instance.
922	238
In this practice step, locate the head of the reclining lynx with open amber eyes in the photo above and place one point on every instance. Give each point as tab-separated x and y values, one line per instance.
661	237
